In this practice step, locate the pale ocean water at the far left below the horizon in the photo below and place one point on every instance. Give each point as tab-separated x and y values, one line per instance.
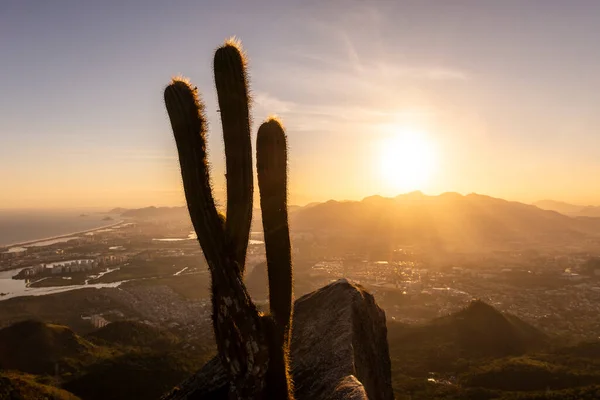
26	226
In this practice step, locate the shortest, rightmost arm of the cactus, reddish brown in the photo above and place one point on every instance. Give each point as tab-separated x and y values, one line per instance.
271	156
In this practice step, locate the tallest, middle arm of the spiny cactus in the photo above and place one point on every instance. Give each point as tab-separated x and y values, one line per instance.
232	90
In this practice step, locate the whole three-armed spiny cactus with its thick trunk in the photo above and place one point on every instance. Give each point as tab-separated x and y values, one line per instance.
253	348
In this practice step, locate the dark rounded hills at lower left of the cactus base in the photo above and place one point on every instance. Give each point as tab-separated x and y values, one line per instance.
123	360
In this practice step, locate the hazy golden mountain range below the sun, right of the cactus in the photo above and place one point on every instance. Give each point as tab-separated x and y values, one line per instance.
449	221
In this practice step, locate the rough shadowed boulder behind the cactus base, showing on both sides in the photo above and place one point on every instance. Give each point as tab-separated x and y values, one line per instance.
339	350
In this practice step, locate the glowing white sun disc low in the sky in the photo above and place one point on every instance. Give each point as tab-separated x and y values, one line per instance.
407	160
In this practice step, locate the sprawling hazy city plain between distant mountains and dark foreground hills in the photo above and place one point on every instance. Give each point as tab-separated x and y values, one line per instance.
158	274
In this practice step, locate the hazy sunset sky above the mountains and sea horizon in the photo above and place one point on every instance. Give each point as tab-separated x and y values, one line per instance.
503	94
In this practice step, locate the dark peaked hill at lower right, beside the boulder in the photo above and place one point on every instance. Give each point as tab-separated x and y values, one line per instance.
480	353
